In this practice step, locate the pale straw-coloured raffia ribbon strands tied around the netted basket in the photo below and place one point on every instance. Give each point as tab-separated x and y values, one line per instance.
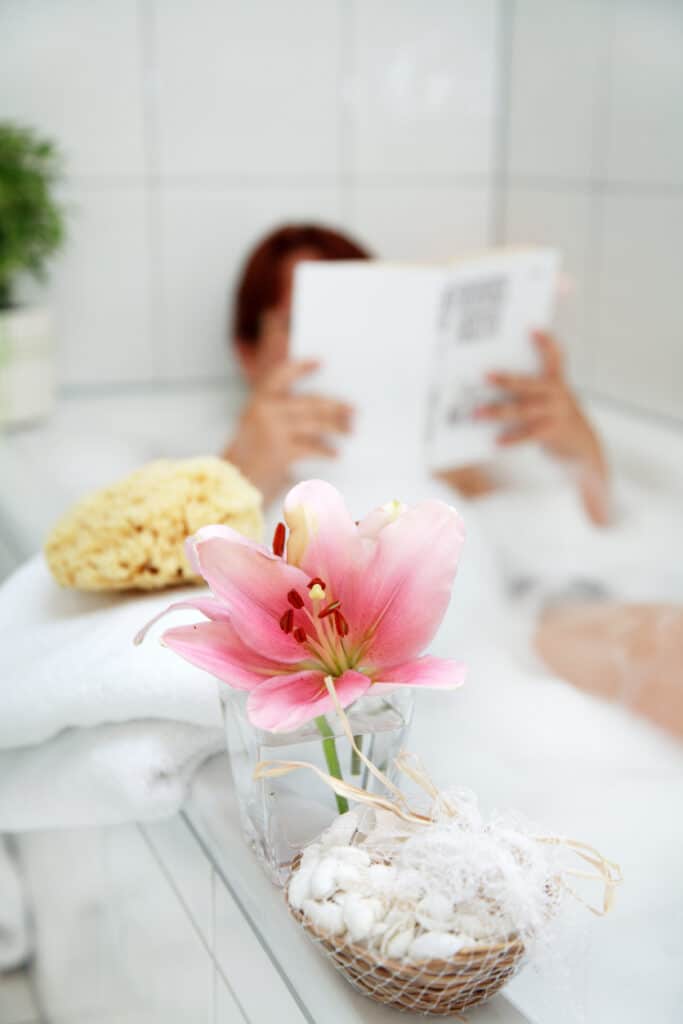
606	872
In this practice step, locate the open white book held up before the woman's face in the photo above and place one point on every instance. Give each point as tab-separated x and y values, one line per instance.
411	347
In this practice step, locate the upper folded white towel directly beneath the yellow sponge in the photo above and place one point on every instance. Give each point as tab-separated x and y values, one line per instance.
67	659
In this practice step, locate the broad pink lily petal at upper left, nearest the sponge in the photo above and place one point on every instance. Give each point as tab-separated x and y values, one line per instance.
254	585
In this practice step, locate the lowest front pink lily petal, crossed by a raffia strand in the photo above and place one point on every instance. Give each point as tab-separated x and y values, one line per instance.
285	703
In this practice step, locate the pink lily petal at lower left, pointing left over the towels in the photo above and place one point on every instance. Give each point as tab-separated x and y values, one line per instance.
217	648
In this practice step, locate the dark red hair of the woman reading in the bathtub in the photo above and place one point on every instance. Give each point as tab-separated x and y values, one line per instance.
261	286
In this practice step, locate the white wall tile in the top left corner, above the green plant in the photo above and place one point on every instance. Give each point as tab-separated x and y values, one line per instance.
74	69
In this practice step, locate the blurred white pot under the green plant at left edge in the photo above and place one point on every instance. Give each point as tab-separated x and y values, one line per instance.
27	366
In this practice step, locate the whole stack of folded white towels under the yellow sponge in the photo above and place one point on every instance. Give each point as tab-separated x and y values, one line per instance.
94	731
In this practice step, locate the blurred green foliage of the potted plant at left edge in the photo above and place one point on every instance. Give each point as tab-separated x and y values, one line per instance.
31	222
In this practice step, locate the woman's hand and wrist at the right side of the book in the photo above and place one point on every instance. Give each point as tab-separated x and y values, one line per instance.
544	409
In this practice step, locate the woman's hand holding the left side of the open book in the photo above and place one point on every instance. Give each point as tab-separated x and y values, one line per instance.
278	428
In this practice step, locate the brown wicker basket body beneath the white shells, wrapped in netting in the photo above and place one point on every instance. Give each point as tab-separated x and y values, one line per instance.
441	988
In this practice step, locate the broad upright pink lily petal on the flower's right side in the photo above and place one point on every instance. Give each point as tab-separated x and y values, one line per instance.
407	586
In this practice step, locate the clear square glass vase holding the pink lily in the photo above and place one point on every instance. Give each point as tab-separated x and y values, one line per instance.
281	816
